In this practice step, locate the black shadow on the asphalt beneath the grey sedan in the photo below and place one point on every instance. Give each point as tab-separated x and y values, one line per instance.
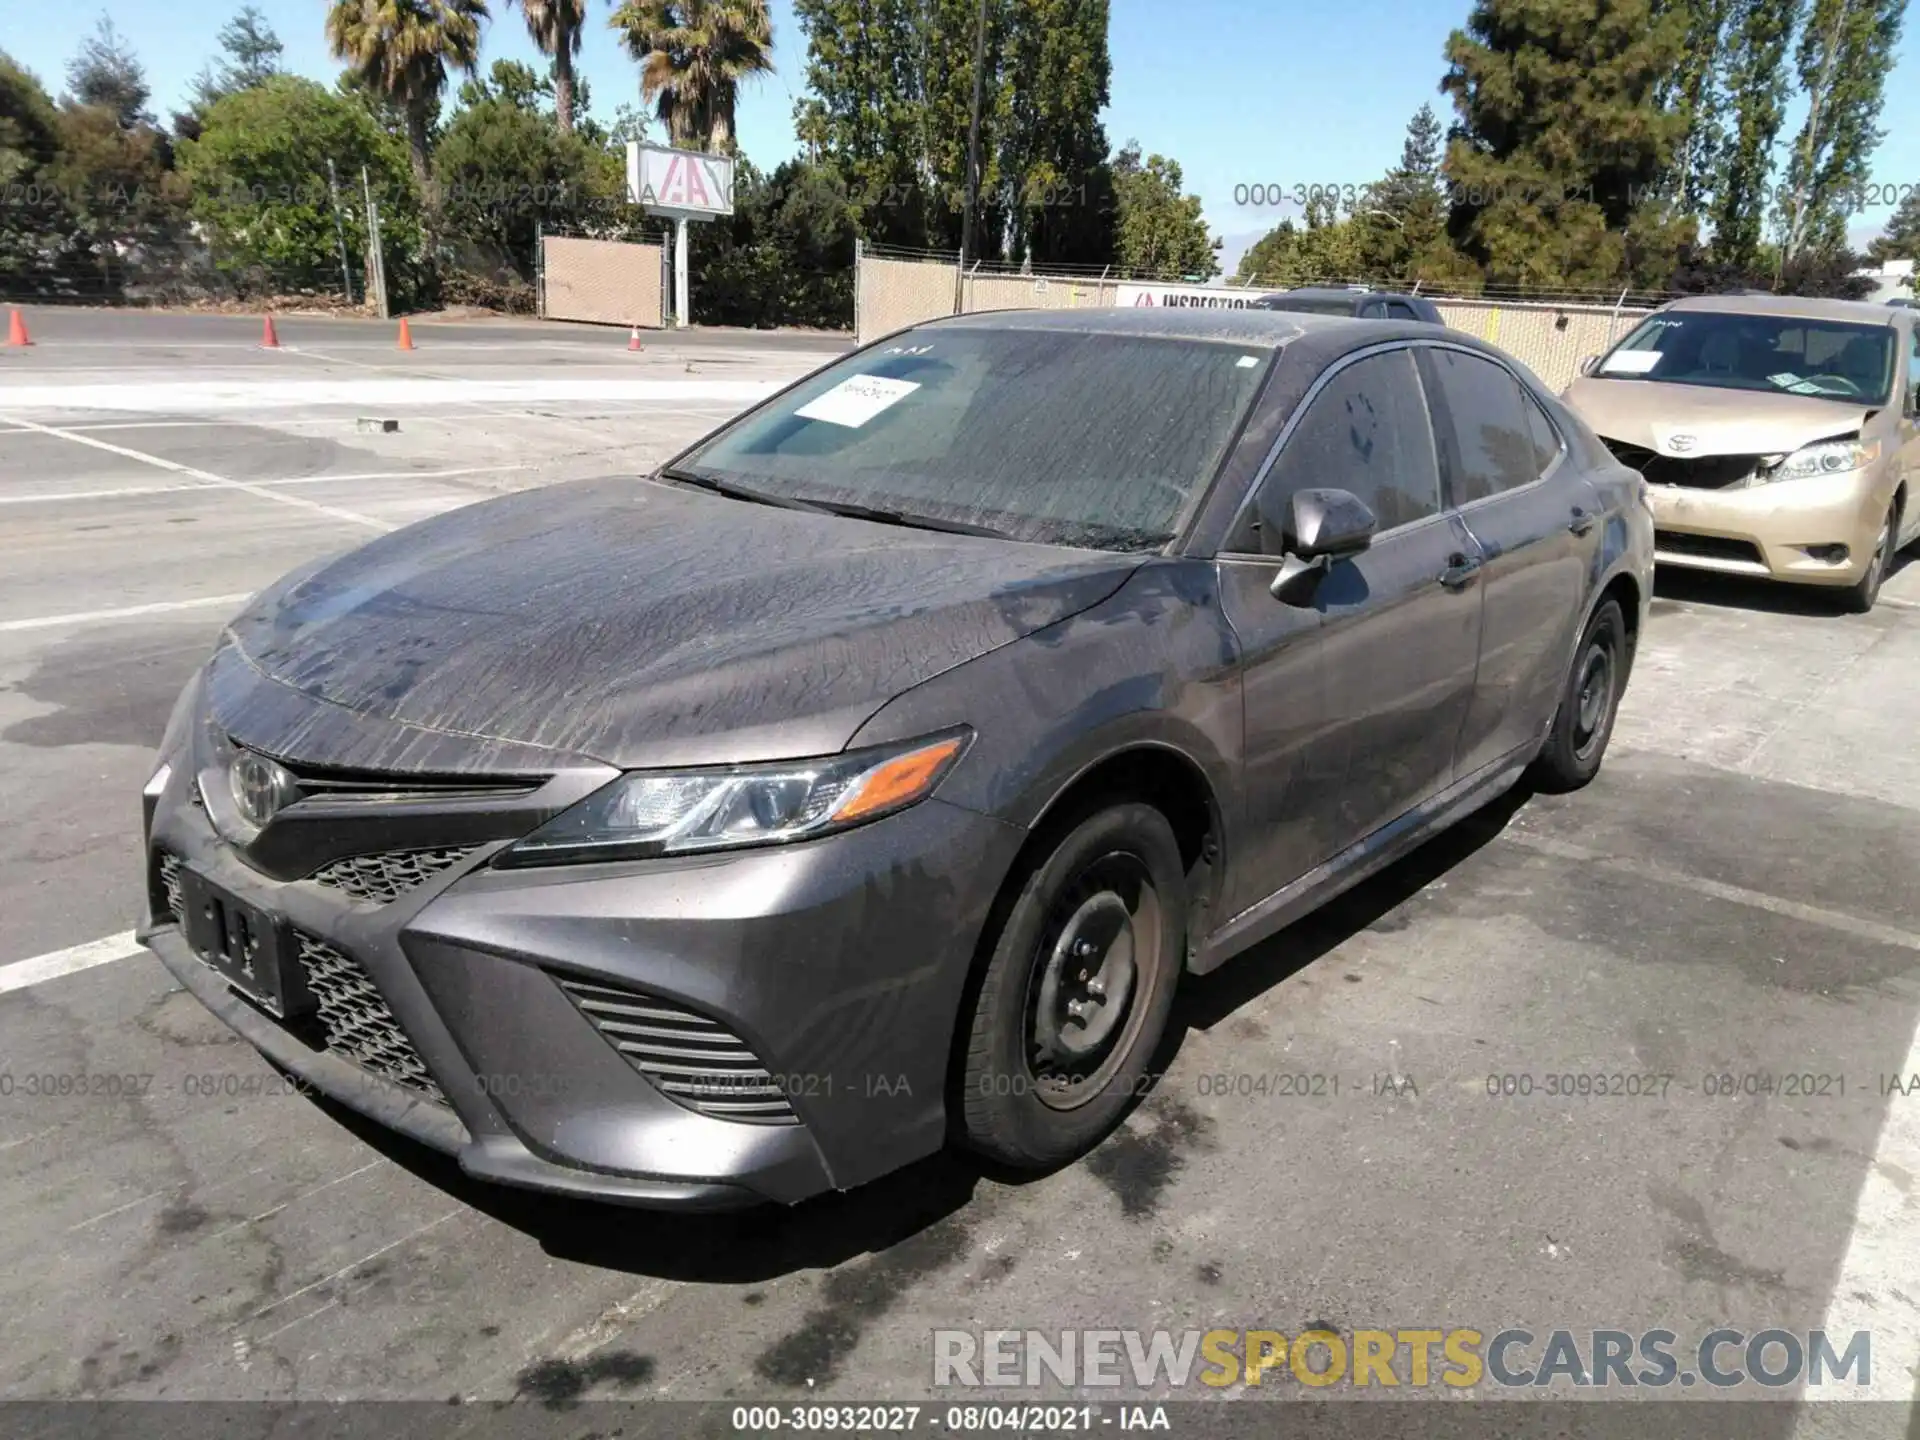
759	1245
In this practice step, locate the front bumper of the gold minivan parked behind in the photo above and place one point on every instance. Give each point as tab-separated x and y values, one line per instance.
1775	533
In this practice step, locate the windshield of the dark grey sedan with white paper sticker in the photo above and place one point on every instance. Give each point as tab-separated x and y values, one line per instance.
1051	437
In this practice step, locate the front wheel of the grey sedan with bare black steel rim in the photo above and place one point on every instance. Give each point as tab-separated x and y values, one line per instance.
1076	994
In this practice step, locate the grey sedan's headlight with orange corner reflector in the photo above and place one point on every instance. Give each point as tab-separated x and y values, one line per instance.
679	811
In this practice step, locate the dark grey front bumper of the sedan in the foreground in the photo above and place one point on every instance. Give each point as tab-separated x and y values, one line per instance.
836	969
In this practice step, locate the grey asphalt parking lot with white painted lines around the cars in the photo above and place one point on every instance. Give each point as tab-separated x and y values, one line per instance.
1735	896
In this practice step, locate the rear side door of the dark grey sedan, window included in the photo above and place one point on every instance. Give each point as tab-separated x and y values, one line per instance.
1506	471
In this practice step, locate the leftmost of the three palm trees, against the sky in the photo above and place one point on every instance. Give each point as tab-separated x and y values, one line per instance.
402	49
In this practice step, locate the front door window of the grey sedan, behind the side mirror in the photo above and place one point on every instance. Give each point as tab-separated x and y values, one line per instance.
1364	433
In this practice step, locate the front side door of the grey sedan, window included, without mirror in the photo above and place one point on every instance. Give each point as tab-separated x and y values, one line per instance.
1353	704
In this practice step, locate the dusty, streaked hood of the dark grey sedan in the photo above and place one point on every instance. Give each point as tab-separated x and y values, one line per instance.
640	625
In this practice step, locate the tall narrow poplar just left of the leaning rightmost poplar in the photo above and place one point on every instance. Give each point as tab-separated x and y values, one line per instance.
1758	37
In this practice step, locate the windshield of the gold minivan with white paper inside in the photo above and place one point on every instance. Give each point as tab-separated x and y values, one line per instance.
1727	350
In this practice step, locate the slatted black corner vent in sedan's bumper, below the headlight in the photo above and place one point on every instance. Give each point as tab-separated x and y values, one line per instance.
692	1061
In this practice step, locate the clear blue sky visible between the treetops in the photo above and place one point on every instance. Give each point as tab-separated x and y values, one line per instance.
1237	91
